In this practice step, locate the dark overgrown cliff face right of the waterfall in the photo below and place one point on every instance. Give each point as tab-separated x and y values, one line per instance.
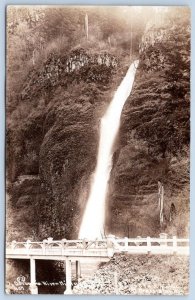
153	143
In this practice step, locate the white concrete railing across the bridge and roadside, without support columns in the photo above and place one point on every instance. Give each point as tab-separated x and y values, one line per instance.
104	247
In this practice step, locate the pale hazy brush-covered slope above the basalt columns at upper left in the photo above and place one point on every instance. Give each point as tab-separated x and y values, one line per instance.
33	33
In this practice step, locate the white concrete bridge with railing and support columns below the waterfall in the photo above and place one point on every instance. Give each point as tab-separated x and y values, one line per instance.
77	251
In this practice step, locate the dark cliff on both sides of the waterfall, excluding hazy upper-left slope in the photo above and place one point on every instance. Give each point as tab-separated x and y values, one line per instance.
53	141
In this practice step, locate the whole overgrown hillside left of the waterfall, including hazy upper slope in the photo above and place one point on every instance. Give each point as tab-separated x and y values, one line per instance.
53	114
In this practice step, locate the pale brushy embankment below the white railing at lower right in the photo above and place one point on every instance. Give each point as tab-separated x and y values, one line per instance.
139	275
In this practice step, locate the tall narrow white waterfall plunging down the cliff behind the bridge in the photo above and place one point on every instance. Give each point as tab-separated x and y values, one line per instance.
92	225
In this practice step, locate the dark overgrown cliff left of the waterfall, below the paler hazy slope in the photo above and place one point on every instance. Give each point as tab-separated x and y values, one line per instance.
52	151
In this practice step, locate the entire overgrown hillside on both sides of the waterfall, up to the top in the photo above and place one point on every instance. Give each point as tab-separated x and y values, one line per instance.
54	105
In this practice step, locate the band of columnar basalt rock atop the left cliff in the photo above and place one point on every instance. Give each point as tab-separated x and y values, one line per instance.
77	65
